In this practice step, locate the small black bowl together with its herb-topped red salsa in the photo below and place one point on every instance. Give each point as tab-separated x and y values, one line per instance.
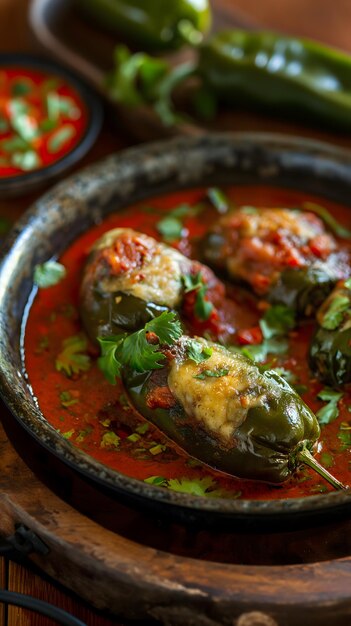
48	120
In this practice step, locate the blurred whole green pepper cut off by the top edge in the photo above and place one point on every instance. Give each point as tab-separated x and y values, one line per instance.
152	24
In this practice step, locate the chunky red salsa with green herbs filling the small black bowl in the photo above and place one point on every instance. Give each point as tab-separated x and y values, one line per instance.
42	118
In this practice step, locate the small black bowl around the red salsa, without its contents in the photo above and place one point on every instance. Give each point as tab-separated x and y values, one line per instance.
30	181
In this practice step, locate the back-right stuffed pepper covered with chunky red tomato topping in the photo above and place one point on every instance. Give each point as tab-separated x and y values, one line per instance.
286	255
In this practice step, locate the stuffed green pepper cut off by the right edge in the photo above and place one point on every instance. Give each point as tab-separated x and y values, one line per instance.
330	350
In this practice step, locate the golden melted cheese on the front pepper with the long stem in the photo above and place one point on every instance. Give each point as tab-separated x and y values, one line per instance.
219	403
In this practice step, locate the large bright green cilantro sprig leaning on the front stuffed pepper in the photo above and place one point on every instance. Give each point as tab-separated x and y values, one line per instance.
134	350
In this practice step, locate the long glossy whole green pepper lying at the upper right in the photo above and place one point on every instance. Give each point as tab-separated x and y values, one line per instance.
280	74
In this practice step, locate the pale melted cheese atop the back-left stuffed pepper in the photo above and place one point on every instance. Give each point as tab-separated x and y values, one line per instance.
158	280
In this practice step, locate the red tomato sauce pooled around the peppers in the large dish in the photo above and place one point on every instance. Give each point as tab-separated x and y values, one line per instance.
96	417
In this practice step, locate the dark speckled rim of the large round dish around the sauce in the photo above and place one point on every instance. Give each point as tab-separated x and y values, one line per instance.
85	199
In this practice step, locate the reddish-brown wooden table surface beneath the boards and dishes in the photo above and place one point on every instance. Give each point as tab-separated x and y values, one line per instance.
328	21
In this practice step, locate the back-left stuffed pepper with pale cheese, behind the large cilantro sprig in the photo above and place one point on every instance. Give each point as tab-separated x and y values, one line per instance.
129	278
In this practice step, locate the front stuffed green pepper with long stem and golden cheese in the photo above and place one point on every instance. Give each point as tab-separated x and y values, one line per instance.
227	413
